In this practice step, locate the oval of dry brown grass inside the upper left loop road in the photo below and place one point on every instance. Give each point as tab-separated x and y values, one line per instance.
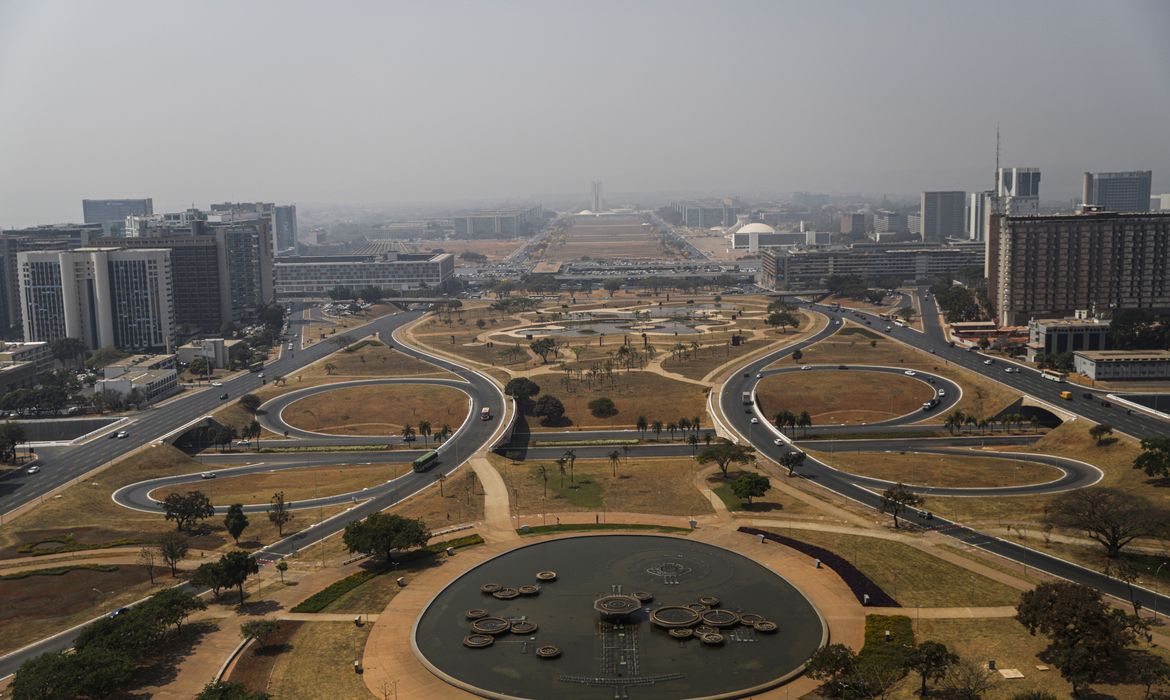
378	410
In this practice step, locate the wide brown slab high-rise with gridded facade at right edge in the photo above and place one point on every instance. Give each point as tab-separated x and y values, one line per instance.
1051	266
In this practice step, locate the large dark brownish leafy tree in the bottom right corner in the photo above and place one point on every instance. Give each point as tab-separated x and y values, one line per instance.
1088	636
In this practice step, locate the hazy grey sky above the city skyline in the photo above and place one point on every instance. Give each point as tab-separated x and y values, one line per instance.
378	102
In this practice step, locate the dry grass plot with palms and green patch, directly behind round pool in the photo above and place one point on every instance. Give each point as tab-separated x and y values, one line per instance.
651	485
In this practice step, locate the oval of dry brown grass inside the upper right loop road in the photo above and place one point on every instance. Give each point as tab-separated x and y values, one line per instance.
846	397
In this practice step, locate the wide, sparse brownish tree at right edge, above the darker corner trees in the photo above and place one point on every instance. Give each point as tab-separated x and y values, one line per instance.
1111	517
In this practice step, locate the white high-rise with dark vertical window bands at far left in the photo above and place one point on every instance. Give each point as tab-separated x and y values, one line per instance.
104	297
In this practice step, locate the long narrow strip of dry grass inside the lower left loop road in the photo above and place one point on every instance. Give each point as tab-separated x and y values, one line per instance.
297	484
